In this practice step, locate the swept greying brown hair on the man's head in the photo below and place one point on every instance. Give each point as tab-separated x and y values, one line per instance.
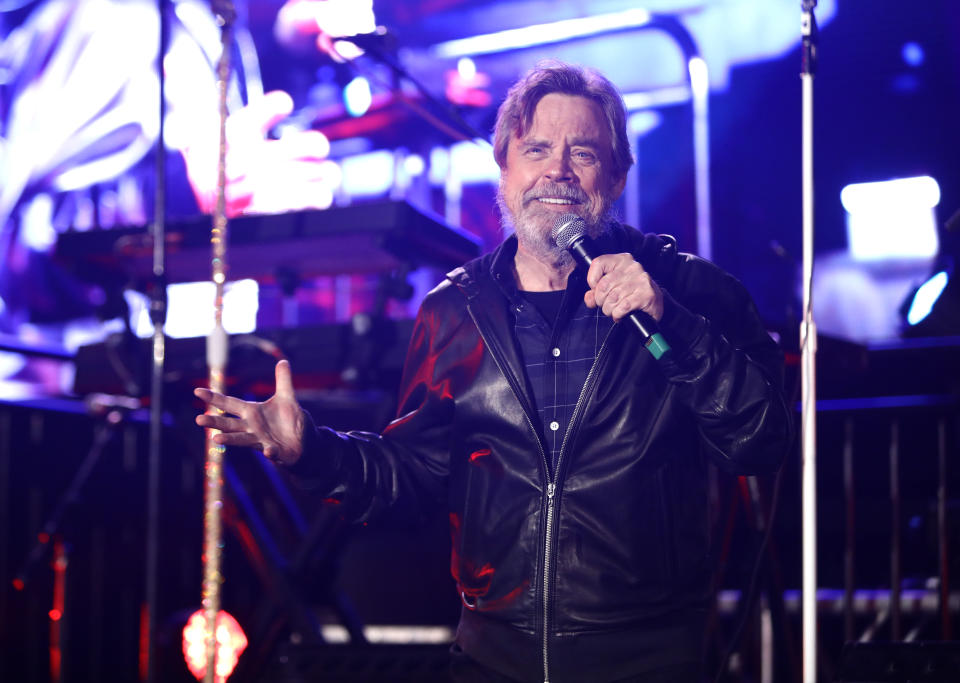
515	115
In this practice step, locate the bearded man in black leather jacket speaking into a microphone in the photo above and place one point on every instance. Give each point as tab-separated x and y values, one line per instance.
573	462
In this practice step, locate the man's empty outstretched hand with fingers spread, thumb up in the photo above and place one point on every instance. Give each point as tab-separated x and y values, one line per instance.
274	426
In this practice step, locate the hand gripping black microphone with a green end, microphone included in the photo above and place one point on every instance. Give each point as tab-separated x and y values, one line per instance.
613	283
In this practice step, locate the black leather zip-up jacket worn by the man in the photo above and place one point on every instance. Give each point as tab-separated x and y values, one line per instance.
571	573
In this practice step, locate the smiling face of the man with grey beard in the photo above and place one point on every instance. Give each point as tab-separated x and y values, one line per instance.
562	164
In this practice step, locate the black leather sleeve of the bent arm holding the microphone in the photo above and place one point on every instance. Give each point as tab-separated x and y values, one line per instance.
726	369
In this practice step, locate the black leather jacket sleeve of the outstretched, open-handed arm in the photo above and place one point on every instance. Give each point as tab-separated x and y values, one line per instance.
404	469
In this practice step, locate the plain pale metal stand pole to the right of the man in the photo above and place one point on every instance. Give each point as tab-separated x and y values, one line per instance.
808	349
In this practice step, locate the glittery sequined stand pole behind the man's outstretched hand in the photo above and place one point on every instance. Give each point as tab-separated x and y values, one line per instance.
217	351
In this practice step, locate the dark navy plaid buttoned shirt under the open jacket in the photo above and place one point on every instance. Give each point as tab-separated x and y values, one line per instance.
558	356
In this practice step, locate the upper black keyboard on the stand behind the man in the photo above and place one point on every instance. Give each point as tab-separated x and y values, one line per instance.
372	237
